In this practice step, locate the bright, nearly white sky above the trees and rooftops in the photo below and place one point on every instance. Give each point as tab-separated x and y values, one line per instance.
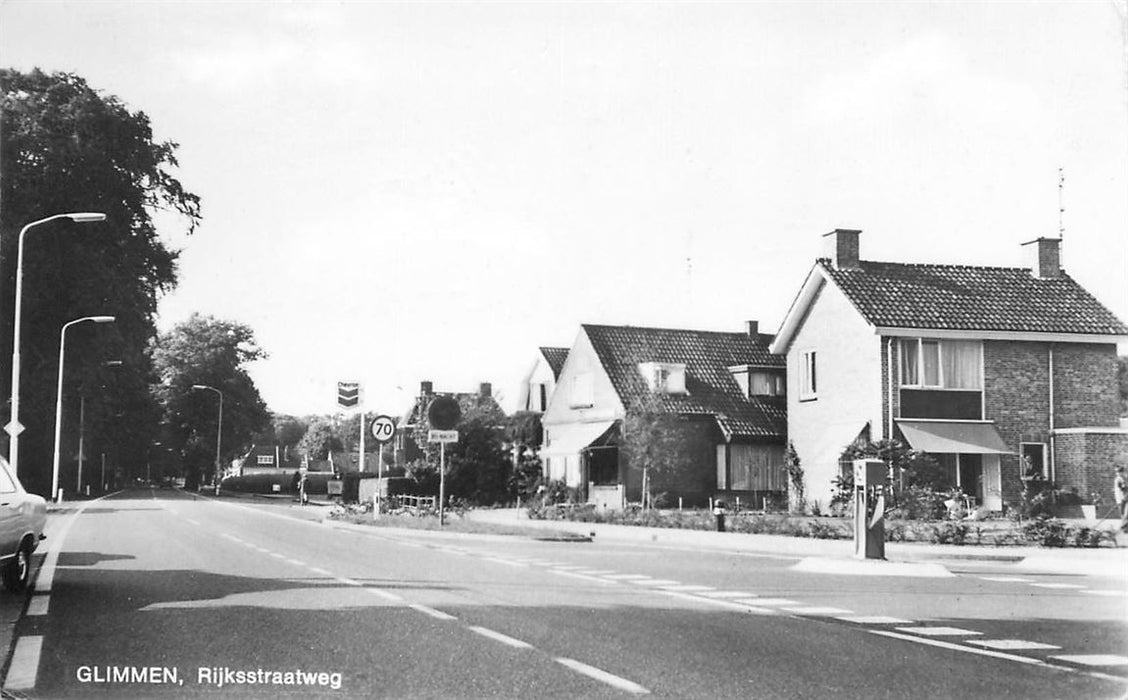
406	192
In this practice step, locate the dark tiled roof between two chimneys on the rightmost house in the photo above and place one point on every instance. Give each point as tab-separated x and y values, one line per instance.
963	298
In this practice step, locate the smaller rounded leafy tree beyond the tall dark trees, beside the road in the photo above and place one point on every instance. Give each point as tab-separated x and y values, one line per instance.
208	352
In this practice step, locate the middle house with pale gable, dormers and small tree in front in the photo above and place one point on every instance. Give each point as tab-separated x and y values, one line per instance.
726	388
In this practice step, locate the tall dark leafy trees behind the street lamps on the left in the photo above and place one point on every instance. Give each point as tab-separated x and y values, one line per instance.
66	147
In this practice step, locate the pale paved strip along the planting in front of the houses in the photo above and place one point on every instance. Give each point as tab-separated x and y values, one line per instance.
1101	562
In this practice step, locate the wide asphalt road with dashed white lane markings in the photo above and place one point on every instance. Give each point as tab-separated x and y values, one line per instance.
156	593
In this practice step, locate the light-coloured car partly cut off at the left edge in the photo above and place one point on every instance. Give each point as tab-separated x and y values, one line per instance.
23	518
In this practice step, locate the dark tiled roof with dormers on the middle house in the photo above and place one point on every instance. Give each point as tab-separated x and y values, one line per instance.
708	356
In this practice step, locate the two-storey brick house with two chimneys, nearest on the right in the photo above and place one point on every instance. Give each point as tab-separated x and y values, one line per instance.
1001	374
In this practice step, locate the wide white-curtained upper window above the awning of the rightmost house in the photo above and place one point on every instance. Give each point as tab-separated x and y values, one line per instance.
941	365
